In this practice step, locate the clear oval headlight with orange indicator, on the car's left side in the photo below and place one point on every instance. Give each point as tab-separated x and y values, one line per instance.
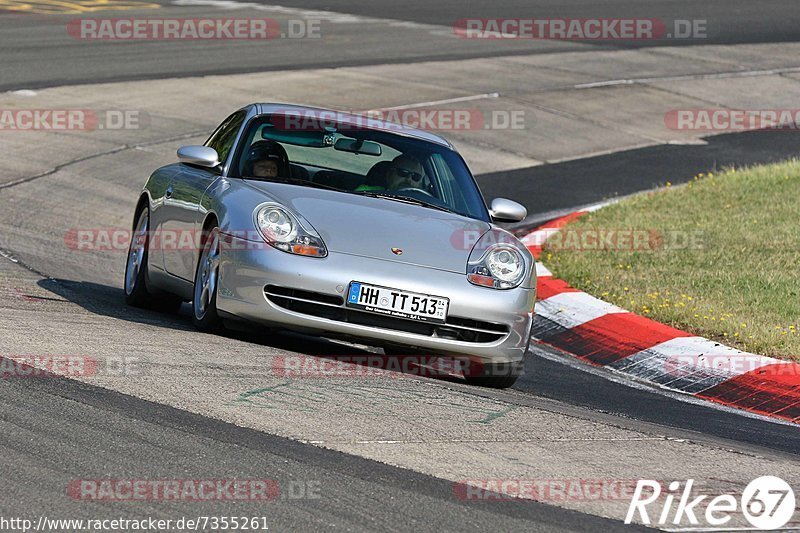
285	231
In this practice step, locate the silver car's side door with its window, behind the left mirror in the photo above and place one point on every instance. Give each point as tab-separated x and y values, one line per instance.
182	202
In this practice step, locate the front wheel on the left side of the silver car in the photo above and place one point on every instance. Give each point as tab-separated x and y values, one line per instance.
204	303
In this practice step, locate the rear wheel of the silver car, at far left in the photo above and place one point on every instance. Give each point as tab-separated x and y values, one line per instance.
135	283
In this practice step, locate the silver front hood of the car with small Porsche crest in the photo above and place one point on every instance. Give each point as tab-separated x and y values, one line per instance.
372	227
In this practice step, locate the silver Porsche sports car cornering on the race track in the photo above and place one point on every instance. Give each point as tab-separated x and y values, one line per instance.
341	226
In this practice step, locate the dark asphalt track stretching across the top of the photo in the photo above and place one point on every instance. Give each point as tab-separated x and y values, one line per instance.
38	52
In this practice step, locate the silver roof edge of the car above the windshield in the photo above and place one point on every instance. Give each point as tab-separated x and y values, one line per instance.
362	121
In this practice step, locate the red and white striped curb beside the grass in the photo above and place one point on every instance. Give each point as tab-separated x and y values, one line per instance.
603	334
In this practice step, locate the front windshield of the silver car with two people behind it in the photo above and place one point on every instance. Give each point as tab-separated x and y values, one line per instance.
358	160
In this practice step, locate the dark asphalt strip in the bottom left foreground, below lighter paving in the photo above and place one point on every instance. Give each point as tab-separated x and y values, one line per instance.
348	492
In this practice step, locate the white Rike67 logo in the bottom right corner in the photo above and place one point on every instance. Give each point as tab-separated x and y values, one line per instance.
767	503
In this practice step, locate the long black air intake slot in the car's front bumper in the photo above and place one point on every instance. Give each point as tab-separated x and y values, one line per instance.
332	308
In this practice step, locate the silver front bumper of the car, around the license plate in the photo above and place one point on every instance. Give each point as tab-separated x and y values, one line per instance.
247	268
